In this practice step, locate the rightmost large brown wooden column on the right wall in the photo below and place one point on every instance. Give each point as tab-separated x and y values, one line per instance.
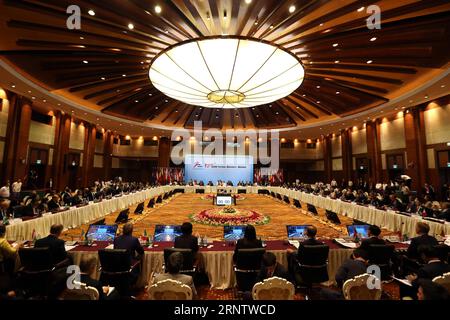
415	143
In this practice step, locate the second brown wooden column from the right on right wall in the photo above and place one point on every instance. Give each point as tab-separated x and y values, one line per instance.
373	150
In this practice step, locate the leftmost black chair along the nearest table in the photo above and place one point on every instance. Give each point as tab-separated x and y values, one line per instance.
36	270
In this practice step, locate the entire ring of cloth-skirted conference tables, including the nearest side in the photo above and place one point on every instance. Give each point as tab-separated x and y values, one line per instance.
217	257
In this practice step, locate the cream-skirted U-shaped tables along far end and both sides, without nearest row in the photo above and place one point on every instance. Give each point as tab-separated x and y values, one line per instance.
75	217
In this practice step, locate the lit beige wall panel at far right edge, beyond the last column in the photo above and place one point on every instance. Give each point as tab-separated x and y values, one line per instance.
437	124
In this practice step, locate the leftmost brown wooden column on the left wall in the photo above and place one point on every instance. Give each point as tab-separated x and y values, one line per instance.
17	135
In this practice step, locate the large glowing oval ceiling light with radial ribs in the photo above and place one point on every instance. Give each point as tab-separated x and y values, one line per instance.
226	72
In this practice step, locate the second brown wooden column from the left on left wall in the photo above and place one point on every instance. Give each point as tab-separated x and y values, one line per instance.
61	150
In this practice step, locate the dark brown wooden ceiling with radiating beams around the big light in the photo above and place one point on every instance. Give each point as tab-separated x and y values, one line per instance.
414	38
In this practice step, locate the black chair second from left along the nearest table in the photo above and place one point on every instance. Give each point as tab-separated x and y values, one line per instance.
117	269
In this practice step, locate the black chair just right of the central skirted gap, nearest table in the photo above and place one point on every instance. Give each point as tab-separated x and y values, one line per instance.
247	267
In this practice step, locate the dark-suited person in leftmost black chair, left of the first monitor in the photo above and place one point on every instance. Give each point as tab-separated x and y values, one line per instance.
55	245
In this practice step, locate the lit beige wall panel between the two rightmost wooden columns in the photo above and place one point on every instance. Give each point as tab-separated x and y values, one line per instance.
392	134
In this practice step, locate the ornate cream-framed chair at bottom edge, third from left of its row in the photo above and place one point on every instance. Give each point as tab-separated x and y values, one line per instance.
274	288
